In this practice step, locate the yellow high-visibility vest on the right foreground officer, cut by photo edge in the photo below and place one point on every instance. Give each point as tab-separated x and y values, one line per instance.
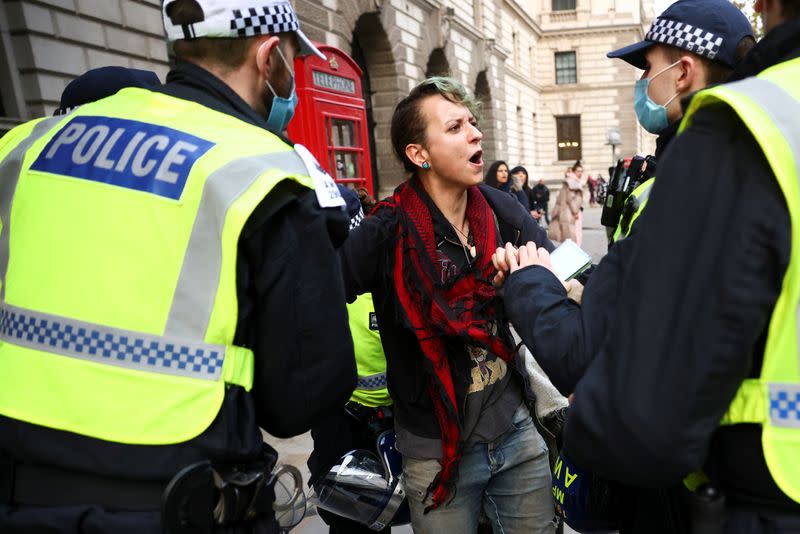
769	106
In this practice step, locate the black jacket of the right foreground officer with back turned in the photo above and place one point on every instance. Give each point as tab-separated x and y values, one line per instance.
692	315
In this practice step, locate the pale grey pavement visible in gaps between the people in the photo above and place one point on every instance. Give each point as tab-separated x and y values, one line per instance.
295	450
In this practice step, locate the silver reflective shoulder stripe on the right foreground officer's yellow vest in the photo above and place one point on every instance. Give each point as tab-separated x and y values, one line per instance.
784	110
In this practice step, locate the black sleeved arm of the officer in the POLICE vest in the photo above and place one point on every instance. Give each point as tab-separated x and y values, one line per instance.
305	366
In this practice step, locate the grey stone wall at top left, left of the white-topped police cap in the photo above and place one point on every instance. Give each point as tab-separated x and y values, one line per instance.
44	44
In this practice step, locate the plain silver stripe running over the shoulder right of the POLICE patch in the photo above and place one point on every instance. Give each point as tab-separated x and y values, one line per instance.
197	286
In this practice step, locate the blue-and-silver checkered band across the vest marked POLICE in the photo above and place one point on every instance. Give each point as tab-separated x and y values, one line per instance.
112	346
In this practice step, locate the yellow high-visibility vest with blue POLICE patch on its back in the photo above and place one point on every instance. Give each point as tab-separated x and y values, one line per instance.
118	304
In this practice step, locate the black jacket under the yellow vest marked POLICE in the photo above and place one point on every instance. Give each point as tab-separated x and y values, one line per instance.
291	314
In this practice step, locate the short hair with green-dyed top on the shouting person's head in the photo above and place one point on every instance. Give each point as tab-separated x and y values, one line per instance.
408	123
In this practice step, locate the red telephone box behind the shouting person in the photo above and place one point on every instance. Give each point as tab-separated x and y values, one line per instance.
331	117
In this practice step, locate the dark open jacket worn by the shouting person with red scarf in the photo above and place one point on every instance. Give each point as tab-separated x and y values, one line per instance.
367	257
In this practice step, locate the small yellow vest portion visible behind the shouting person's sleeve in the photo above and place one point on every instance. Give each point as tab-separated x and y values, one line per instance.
371	387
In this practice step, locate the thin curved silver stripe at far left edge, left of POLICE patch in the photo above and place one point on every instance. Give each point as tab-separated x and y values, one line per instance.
10	169
